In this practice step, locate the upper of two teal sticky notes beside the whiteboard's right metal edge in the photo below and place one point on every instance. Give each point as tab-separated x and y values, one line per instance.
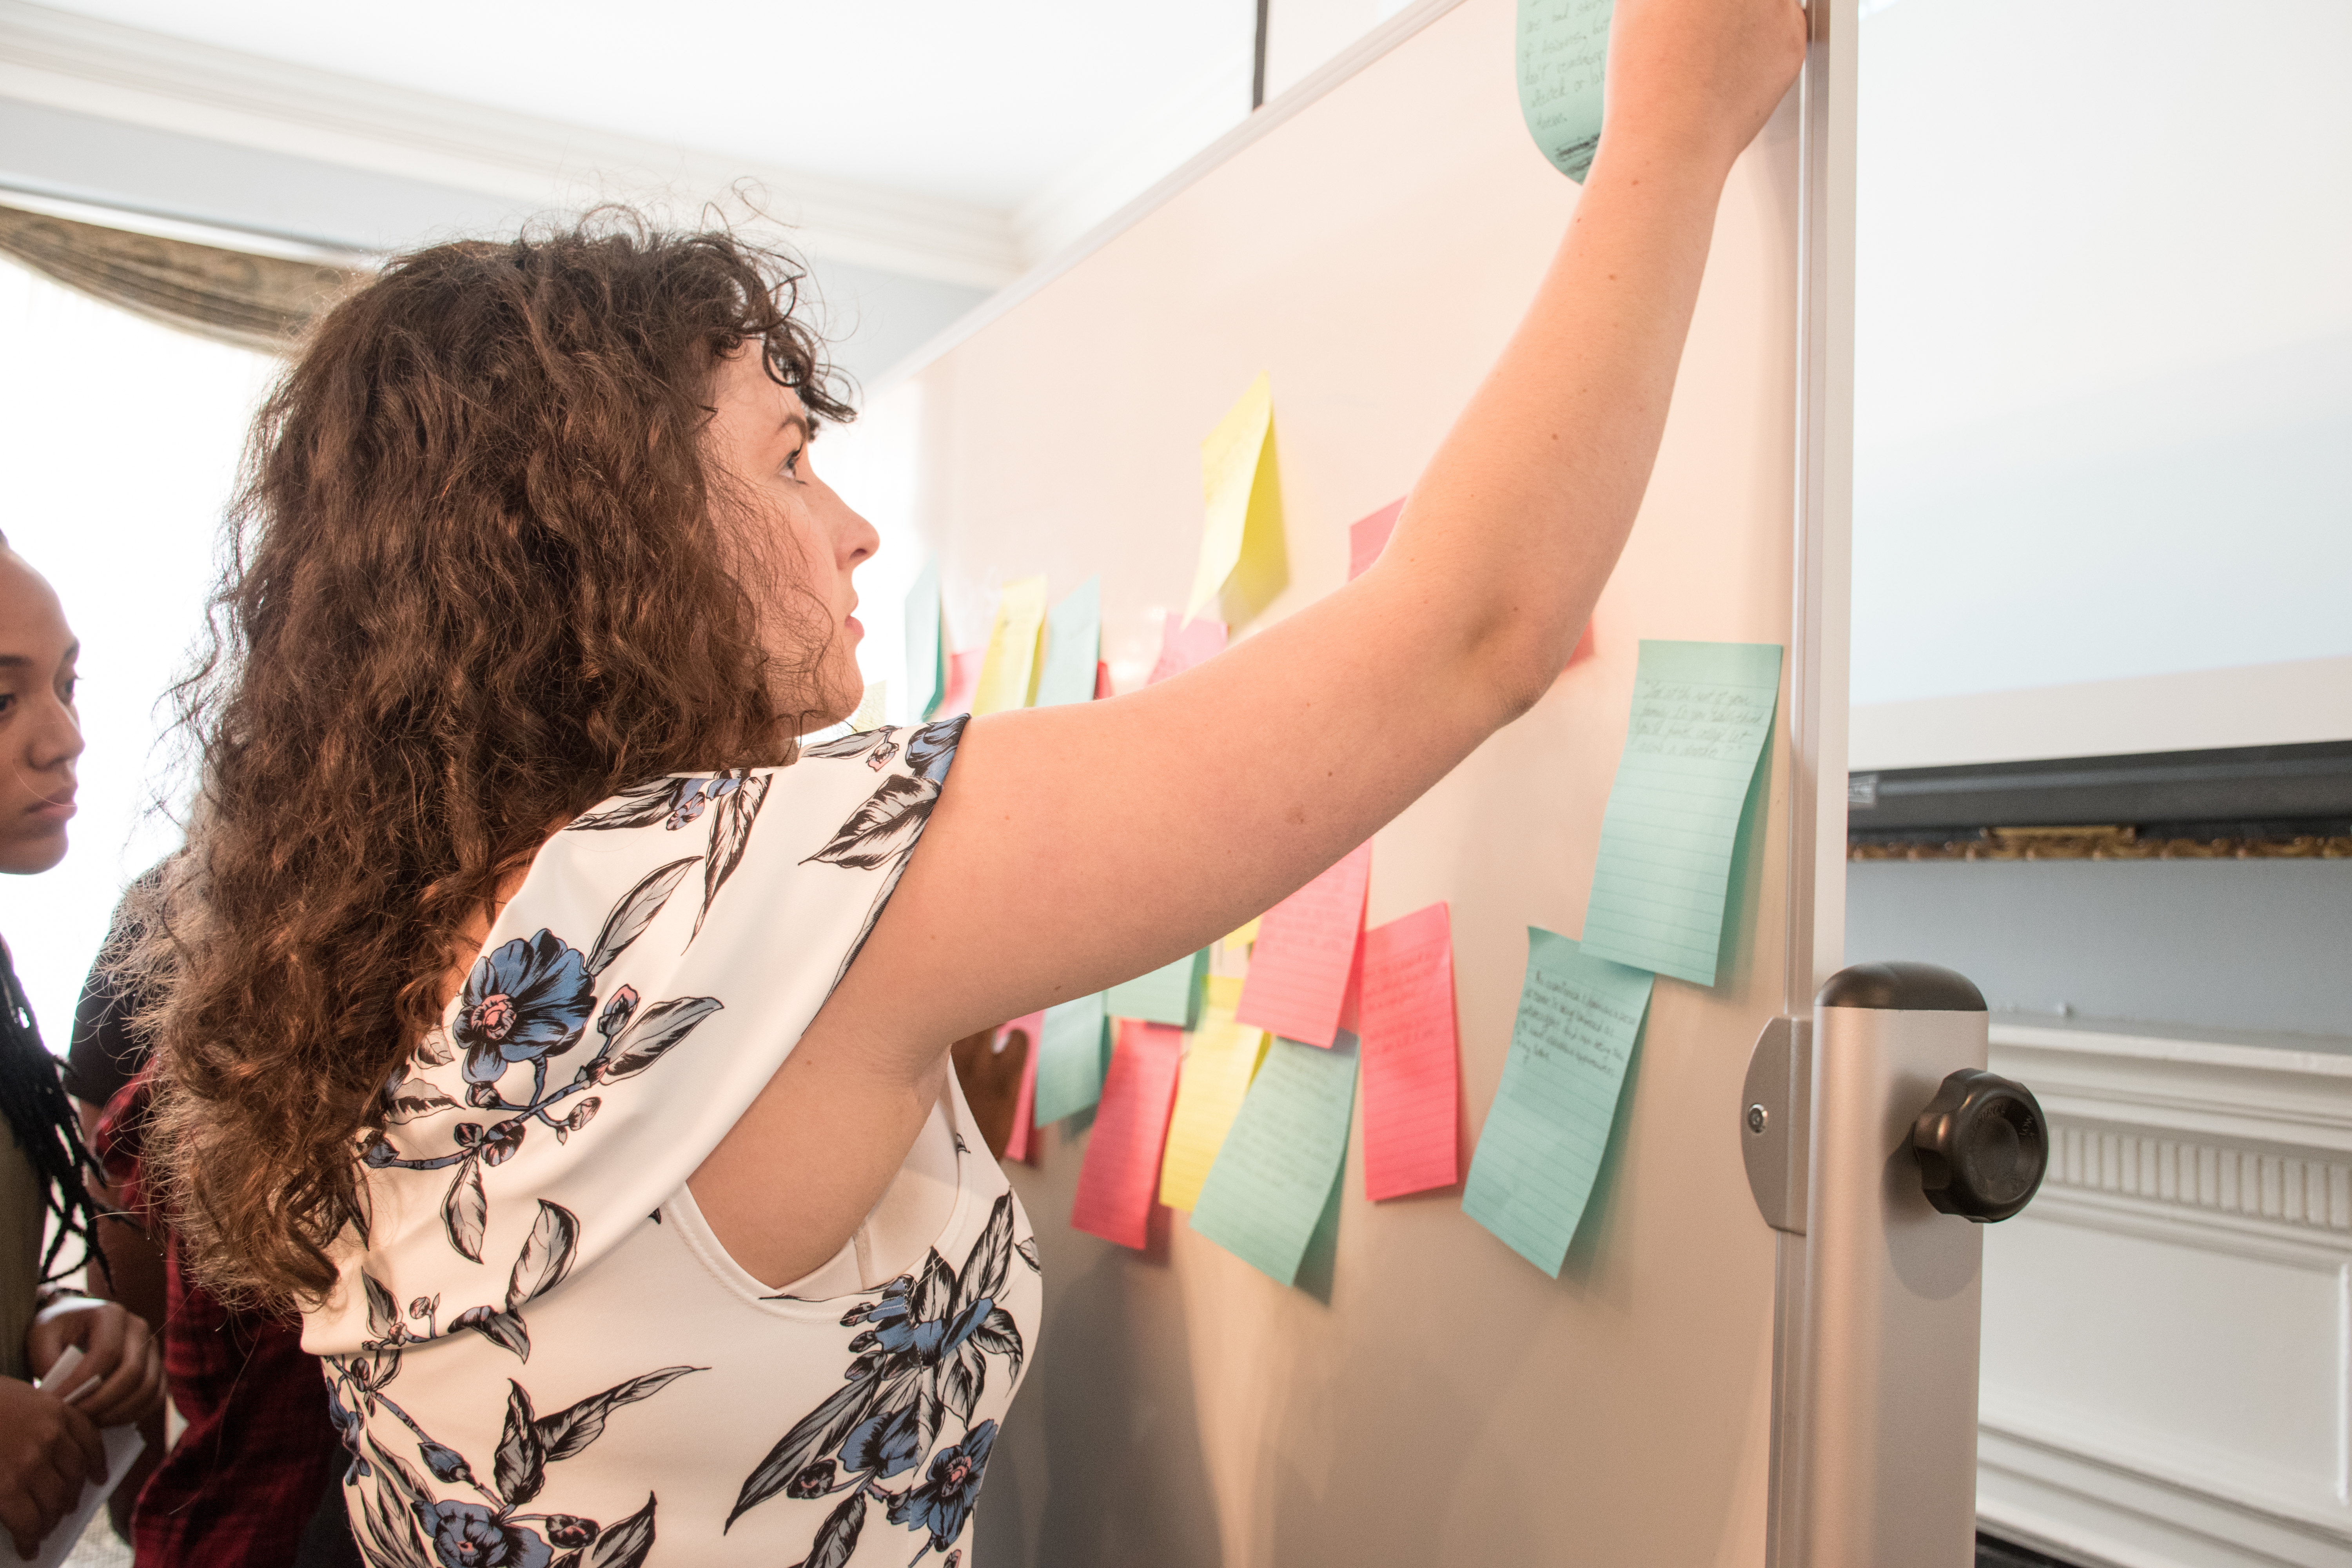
1702	716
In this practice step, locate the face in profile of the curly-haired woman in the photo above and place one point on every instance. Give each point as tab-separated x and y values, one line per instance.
794	540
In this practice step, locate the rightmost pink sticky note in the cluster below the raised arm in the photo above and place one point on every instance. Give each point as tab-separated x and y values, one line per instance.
1410	1057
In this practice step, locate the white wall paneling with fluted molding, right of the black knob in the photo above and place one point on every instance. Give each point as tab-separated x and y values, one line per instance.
2229	1155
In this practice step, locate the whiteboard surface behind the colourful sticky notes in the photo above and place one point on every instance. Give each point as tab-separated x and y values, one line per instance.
1426	1398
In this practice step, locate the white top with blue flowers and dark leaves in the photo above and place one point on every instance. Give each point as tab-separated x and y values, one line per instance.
540	1355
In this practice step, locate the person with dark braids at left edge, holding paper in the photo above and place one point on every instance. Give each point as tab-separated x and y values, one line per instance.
48	1442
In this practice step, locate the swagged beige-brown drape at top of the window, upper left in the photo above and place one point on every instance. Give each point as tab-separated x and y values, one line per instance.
232	297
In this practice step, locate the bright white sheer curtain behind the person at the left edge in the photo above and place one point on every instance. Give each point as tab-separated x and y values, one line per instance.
119	450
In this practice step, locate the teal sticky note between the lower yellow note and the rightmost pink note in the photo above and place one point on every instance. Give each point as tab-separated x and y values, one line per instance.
1283	1158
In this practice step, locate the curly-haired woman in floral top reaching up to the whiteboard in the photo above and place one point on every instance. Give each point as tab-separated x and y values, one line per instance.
573	1045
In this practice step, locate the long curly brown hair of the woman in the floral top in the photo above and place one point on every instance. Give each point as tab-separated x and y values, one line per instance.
472	587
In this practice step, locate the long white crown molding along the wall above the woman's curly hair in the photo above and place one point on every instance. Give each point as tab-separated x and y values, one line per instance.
222	95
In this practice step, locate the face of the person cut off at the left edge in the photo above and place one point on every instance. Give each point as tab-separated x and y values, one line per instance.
39	730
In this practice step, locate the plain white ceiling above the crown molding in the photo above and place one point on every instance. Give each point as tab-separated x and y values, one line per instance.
923	98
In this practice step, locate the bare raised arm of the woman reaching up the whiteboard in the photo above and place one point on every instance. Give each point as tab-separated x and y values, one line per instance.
1024	887
